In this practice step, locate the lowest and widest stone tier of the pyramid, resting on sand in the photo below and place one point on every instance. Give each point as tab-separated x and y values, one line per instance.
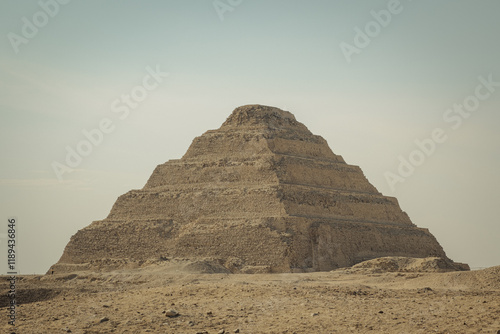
276	245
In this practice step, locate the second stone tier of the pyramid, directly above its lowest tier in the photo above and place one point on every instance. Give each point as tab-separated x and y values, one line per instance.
188	203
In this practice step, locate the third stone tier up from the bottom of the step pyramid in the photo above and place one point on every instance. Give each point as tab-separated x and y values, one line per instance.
277	168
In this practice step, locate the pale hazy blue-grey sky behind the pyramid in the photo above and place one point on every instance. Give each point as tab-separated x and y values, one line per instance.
371	77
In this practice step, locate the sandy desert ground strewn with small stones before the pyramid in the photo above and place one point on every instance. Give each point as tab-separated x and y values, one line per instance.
344	301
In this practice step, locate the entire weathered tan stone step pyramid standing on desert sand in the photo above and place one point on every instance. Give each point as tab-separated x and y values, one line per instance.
260	192
